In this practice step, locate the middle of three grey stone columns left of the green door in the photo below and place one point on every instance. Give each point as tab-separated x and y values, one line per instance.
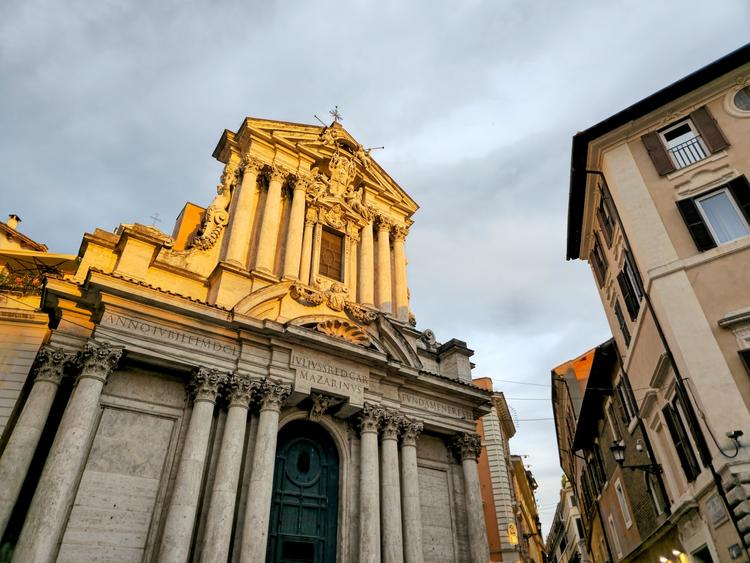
224	493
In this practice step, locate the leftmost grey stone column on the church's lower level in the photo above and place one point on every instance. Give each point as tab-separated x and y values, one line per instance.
16	458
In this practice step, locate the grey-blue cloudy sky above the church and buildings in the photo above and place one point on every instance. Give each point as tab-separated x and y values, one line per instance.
111	110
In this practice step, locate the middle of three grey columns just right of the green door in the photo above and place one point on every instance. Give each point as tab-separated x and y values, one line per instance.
390	515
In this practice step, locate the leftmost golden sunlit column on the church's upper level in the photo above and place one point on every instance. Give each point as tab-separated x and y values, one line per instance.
239	232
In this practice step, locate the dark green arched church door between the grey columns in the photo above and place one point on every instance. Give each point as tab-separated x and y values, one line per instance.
304	508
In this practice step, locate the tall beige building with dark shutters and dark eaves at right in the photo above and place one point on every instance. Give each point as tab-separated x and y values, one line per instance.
660	208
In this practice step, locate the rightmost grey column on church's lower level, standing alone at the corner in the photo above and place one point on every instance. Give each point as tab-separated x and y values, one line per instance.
468	447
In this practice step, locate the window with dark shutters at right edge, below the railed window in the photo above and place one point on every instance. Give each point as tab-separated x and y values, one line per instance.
719	216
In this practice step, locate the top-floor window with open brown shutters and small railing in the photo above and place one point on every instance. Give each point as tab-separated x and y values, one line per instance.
684	143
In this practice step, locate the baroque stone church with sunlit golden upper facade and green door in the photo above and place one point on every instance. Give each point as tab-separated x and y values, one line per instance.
250	388
